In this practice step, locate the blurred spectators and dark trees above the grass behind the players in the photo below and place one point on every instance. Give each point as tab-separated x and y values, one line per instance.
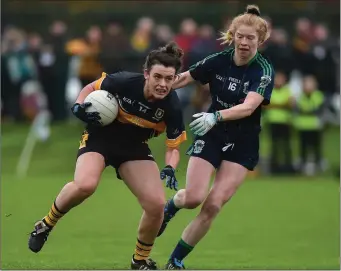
51	49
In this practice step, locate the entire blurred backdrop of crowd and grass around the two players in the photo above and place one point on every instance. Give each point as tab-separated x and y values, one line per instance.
286	215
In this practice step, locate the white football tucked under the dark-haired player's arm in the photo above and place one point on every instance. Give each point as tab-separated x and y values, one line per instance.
105	104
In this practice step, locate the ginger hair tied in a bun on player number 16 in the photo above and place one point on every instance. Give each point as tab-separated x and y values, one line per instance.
250	17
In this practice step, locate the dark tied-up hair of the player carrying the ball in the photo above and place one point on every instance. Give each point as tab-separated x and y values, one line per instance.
169	56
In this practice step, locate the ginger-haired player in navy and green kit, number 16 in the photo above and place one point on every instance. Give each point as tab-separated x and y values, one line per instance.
227	136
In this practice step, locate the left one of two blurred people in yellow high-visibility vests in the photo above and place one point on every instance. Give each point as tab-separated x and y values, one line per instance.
279	116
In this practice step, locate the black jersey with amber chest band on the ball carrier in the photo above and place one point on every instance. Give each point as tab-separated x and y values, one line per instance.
139	120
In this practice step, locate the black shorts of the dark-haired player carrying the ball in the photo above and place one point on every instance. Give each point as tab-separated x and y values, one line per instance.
115	152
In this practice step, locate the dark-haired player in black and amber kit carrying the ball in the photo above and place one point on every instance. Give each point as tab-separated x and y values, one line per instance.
147	108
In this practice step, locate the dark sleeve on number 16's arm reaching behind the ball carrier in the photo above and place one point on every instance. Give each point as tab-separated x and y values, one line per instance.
204	69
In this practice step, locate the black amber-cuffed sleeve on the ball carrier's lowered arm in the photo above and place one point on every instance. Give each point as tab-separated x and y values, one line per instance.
175	127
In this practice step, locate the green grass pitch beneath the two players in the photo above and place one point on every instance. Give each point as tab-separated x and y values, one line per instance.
271	223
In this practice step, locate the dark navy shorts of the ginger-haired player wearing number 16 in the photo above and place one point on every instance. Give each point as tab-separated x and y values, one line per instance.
243	151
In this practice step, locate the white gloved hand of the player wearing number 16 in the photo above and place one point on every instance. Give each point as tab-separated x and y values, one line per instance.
203	123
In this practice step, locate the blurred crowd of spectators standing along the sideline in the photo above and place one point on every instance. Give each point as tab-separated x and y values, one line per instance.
60	63
